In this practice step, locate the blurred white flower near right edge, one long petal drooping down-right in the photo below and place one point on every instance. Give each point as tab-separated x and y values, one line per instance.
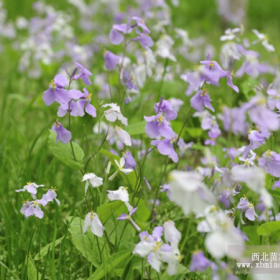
254	177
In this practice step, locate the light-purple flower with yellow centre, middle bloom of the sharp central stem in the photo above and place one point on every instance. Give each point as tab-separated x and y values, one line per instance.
158	126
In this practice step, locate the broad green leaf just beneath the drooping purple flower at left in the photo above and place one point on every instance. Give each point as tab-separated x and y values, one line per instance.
63	152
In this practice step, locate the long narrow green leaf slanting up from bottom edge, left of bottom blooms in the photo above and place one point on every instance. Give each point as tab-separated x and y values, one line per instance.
110	264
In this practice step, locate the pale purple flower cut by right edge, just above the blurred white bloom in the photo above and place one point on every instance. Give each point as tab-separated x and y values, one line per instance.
270	161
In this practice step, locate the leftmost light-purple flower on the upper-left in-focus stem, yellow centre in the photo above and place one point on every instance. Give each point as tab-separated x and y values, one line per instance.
56	91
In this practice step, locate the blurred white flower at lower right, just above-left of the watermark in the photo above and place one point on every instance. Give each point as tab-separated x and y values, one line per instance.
225	234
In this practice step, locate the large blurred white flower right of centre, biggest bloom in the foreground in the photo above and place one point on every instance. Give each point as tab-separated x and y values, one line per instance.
189	192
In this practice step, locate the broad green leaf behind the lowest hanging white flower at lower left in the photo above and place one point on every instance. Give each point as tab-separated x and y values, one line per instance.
86	243
